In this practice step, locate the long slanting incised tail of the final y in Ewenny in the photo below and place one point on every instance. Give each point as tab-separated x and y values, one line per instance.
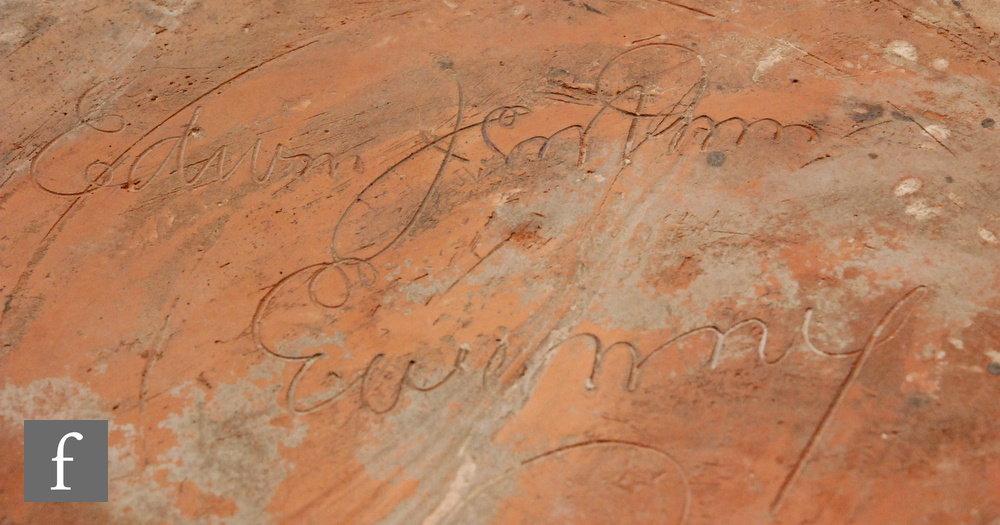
874	340
